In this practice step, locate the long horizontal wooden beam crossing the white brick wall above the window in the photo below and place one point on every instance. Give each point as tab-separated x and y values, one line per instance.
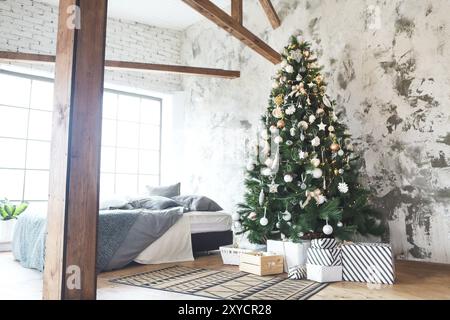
135	66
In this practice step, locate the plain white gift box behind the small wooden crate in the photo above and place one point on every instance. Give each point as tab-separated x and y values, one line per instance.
295	254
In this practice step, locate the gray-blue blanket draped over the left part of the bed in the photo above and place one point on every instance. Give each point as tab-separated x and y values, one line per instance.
122	236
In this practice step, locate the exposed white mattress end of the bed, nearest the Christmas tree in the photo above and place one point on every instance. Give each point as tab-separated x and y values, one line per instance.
203	221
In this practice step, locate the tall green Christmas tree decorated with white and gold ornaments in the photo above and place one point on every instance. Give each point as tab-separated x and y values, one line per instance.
302	180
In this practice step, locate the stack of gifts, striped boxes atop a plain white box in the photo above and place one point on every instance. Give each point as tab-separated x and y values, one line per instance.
324	263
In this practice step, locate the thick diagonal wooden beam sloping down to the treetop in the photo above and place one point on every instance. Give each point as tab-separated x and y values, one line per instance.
226	22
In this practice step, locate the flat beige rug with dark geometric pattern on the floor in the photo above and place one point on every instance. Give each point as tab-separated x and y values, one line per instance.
225	285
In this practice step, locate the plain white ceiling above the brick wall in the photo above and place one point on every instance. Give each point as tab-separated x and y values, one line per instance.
172	14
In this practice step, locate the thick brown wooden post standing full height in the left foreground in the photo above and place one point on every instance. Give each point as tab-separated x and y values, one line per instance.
75	157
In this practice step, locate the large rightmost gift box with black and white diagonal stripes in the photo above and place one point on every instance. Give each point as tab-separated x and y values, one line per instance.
368	262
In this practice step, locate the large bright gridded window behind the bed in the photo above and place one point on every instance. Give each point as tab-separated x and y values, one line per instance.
131	139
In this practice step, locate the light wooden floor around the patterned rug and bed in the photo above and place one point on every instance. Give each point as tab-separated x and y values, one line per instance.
415	280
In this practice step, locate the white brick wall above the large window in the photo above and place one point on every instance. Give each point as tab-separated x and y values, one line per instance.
30	26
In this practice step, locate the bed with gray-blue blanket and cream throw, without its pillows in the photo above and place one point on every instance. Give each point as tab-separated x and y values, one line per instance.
140	235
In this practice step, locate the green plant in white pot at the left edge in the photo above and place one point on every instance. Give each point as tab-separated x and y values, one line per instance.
8	216
